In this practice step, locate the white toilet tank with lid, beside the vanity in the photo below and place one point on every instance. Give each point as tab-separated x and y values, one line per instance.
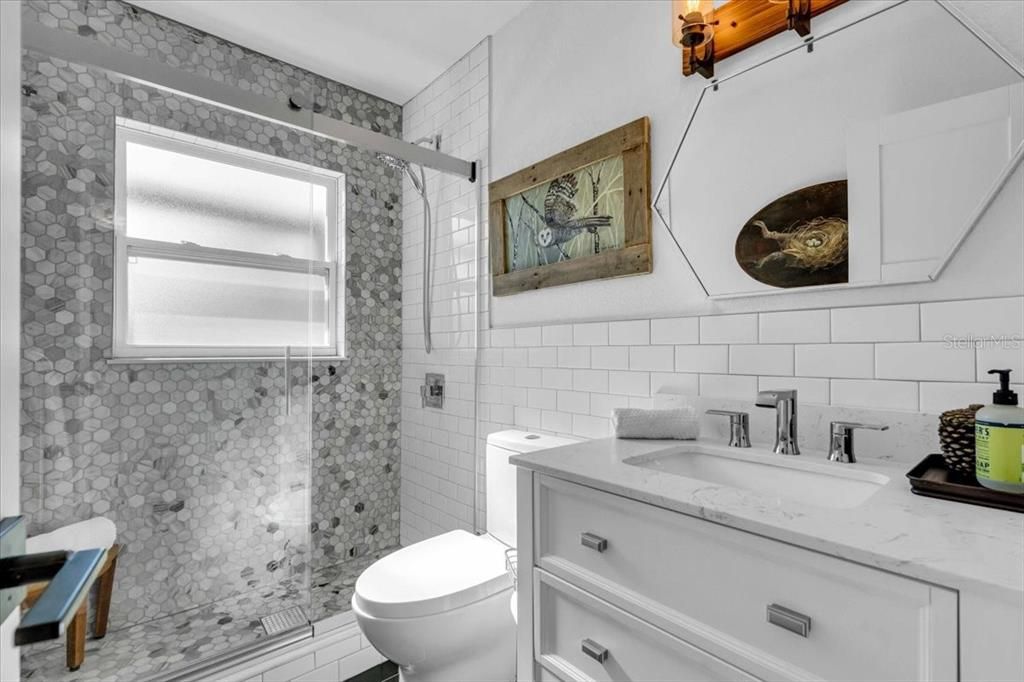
501	477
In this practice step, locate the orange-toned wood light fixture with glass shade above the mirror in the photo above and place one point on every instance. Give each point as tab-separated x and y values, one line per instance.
708	34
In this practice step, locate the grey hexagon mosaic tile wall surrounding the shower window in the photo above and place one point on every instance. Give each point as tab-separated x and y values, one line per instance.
205	476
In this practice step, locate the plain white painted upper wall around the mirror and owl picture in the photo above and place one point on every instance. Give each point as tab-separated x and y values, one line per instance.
563	75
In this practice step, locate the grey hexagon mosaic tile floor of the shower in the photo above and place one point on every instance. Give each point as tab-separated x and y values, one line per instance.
141	652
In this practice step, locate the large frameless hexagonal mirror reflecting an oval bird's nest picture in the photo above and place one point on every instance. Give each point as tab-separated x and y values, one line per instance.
864	161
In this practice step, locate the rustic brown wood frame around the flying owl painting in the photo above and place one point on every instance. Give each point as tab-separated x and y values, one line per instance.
633	143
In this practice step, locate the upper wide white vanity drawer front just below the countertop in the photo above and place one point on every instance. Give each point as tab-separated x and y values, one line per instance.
713	586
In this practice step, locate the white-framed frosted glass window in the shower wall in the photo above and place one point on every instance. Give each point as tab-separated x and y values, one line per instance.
223	252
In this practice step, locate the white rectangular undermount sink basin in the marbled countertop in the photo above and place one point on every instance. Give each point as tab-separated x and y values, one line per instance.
796	479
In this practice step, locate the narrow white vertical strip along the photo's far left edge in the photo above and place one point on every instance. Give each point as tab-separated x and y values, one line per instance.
11	231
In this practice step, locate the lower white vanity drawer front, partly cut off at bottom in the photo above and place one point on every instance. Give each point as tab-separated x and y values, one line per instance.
570	623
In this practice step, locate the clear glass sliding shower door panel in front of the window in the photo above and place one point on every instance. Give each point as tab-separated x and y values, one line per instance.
182	270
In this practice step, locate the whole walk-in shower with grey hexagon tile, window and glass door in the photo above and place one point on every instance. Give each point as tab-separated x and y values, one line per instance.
211	342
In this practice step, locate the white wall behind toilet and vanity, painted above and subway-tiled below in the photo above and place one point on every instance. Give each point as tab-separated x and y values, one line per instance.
562	73
